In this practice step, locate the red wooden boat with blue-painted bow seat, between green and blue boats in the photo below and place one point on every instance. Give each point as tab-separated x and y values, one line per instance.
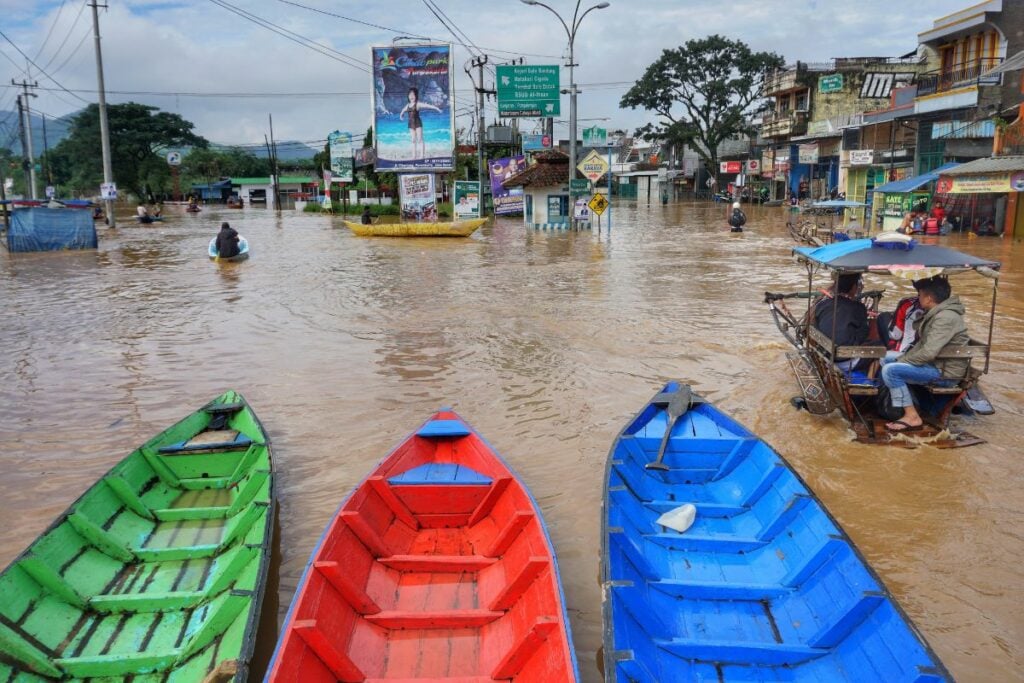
438	568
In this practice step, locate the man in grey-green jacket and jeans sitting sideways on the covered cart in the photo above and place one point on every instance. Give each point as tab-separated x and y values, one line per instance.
942	328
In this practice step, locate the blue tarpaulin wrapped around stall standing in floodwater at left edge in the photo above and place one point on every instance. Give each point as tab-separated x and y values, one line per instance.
51	230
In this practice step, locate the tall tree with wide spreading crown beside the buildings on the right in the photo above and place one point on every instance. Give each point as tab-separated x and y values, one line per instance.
704	93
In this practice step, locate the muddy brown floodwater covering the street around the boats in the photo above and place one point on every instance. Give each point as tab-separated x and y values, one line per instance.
547	344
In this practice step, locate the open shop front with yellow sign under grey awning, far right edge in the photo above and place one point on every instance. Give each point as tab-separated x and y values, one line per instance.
987	194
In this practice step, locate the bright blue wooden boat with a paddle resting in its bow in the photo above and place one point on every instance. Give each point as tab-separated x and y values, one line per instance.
763	586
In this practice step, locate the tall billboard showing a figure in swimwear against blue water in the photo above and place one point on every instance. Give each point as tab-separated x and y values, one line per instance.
414	116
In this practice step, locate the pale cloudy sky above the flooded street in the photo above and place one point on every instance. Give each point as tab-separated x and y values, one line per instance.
177	50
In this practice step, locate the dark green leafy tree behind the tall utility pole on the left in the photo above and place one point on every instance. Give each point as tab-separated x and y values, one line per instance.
140	138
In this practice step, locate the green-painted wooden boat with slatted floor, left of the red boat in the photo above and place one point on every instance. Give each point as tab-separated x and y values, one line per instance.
157	573
